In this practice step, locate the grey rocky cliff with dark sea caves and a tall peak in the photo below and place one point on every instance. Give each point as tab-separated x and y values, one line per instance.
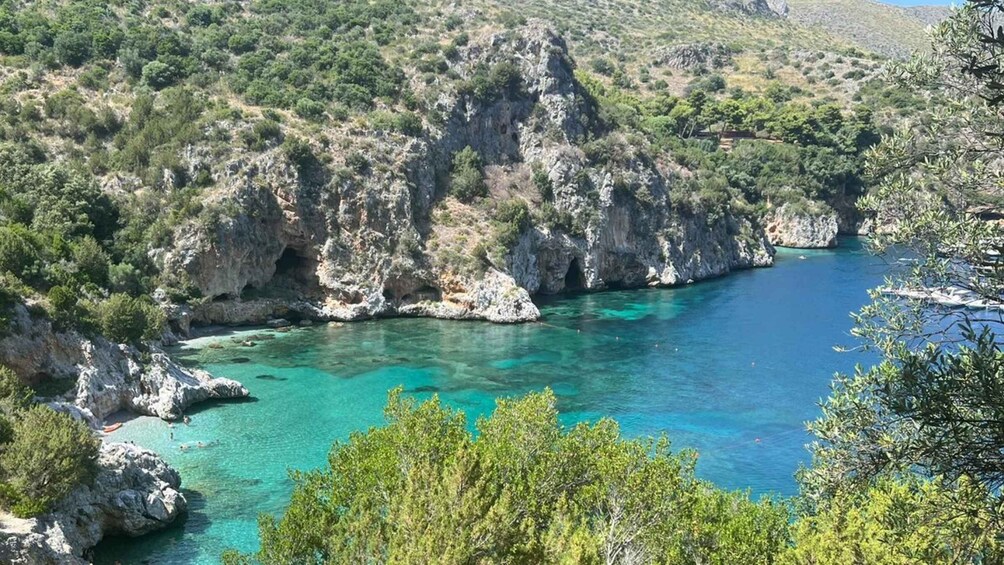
382	236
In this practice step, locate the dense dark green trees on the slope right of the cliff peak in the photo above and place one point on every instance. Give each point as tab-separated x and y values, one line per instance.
784	151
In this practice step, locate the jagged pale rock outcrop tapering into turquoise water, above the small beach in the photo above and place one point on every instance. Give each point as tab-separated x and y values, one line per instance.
106	378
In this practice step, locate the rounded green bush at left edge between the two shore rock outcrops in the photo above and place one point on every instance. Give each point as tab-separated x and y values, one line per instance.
44	454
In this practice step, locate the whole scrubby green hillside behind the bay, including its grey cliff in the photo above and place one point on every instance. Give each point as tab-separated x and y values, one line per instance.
146	142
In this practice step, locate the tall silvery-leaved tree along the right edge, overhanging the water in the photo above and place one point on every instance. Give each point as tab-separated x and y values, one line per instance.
934	407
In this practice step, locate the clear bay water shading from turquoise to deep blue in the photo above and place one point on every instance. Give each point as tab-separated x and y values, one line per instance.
715	366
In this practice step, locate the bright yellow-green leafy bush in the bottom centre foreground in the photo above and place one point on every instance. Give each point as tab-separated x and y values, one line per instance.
526	490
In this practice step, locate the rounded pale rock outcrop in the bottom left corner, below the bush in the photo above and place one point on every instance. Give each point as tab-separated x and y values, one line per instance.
135	493
